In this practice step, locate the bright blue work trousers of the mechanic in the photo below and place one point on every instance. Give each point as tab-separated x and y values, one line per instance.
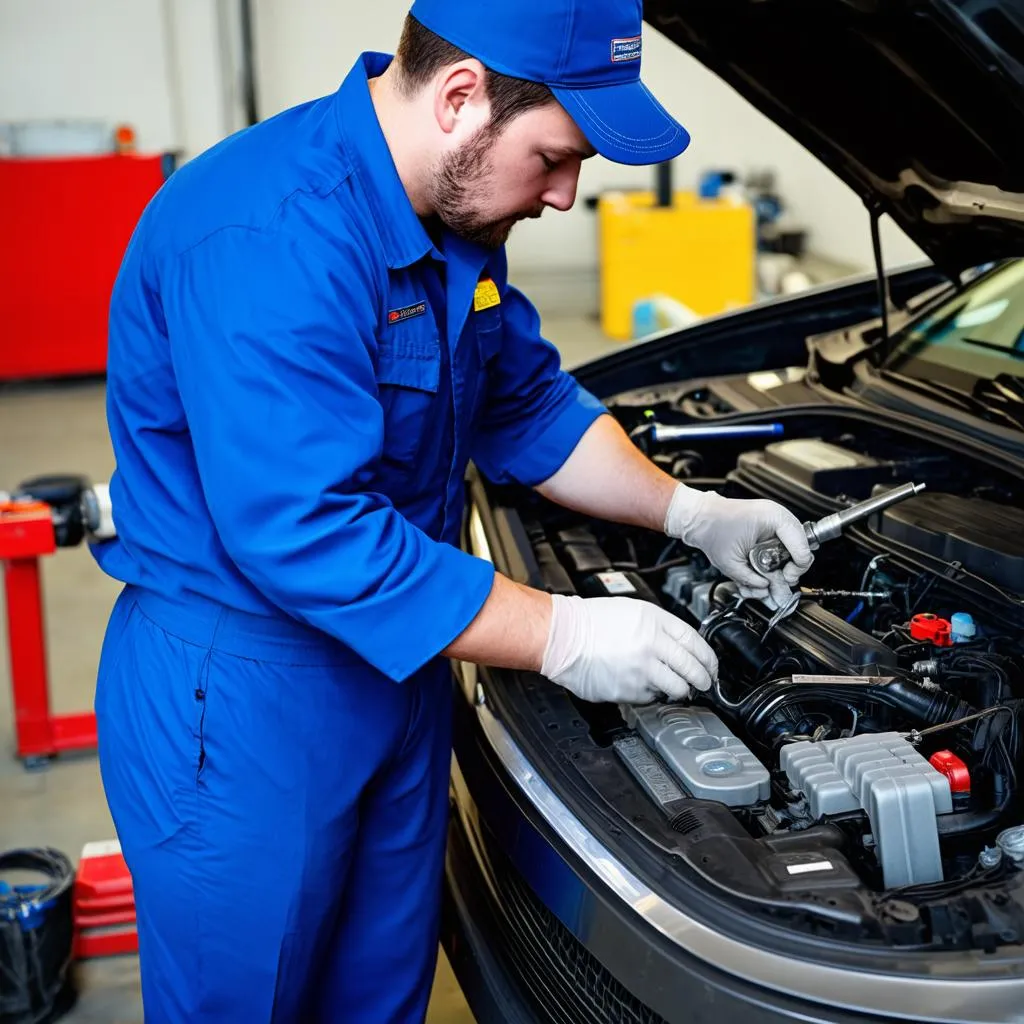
282	808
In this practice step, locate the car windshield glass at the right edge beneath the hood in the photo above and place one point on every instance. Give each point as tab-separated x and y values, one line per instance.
978	335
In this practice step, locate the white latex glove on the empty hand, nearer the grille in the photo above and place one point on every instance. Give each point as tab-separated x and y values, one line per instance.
624	651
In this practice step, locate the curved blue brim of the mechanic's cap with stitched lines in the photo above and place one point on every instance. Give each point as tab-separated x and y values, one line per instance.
625	123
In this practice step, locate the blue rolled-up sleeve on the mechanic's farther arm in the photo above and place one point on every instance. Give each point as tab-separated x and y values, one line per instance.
536	413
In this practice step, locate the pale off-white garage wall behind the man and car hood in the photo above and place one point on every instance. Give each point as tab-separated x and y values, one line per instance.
170	68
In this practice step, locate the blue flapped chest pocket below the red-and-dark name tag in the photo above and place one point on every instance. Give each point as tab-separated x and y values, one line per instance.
409	369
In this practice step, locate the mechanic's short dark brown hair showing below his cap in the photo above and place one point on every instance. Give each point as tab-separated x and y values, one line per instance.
422	54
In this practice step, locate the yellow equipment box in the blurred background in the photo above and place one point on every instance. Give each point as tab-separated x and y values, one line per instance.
701	252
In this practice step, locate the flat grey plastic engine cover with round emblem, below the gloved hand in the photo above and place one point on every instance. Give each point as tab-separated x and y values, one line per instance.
710	761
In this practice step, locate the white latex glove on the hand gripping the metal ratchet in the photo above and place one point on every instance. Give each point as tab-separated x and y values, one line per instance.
727	529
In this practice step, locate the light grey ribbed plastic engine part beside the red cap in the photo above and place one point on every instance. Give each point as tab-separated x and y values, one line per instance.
884	775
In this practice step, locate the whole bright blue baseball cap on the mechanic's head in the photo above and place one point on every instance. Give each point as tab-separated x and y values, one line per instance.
586	52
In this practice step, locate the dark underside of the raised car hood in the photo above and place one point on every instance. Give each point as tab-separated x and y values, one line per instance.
917	105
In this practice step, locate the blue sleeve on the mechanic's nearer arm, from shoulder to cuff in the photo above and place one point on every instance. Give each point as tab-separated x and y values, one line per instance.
274	353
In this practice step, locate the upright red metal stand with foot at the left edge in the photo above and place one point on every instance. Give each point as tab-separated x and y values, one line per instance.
27	535
